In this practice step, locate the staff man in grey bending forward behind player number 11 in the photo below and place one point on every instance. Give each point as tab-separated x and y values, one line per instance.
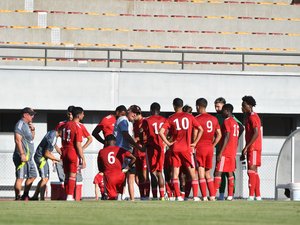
41	156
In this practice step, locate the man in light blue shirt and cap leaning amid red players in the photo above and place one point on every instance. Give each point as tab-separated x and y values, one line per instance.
124	139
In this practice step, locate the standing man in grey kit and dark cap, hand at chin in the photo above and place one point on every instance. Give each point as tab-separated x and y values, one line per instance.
23	155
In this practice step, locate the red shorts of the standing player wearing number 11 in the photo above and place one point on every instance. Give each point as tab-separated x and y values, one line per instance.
70	161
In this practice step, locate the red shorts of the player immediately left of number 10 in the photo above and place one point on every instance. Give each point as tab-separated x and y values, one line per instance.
156	157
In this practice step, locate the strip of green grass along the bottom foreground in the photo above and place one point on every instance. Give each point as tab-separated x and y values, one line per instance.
149	212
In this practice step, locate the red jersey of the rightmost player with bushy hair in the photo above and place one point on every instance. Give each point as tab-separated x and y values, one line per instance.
253	121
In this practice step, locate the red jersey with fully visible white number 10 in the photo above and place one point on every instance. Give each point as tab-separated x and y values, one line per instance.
180	126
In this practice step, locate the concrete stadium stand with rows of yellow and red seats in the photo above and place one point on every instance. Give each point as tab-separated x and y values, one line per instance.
181	25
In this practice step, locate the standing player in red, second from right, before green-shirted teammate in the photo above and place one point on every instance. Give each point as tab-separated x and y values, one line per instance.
227	154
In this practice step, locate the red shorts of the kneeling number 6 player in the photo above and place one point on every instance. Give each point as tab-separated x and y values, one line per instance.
114	184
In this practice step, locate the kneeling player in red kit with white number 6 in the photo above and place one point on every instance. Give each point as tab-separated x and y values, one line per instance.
110	161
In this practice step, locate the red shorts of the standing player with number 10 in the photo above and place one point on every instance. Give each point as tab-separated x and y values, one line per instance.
185	158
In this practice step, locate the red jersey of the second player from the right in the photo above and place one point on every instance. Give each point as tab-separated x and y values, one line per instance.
230	126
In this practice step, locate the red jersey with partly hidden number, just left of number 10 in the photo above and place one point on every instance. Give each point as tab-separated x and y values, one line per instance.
151	126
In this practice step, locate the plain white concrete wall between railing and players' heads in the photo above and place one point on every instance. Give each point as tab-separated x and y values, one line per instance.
104	89
